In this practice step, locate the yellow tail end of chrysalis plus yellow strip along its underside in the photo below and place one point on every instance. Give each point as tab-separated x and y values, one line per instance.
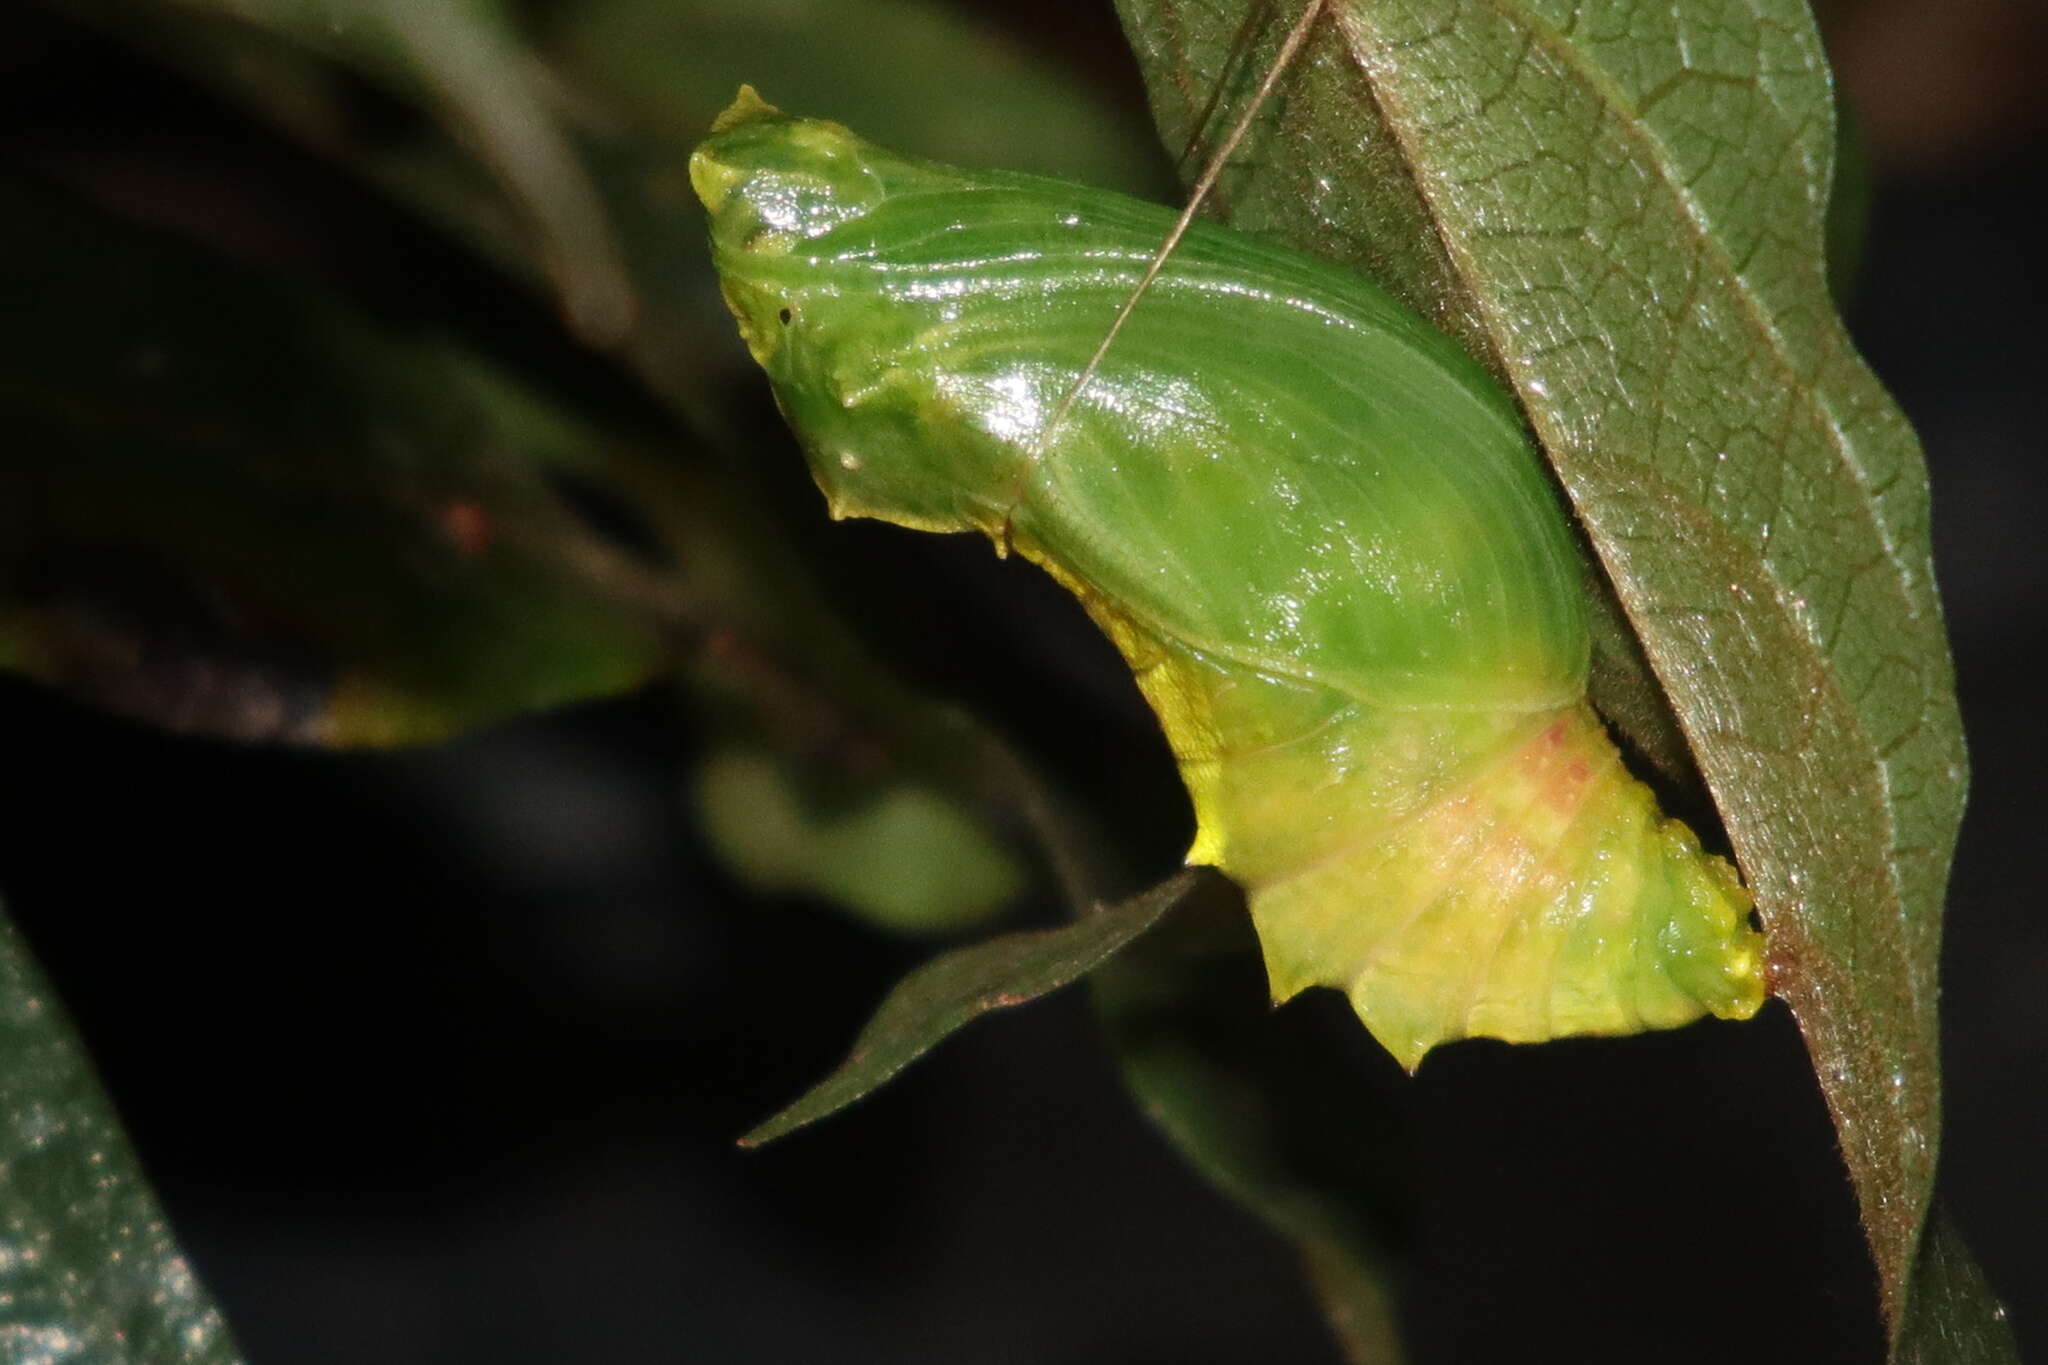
1484	914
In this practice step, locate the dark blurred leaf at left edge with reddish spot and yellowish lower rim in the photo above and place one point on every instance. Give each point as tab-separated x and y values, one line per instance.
245	509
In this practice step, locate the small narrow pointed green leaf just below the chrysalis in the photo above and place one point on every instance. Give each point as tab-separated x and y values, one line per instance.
959	987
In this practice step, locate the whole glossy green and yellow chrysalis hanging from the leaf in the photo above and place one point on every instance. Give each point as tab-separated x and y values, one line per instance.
1312	525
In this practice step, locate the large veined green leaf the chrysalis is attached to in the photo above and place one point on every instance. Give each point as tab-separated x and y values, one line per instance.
1623	212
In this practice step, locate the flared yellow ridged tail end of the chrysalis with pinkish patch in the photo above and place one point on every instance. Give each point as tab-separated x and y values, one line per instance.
1490	916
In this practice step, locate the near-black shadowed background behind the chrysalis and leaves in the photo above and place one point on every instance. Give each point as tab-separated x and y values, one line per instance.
439	1055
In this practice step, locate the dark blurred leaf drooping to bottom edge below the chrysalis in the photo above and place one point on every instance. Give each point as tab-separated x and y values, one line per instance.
1281	1129
